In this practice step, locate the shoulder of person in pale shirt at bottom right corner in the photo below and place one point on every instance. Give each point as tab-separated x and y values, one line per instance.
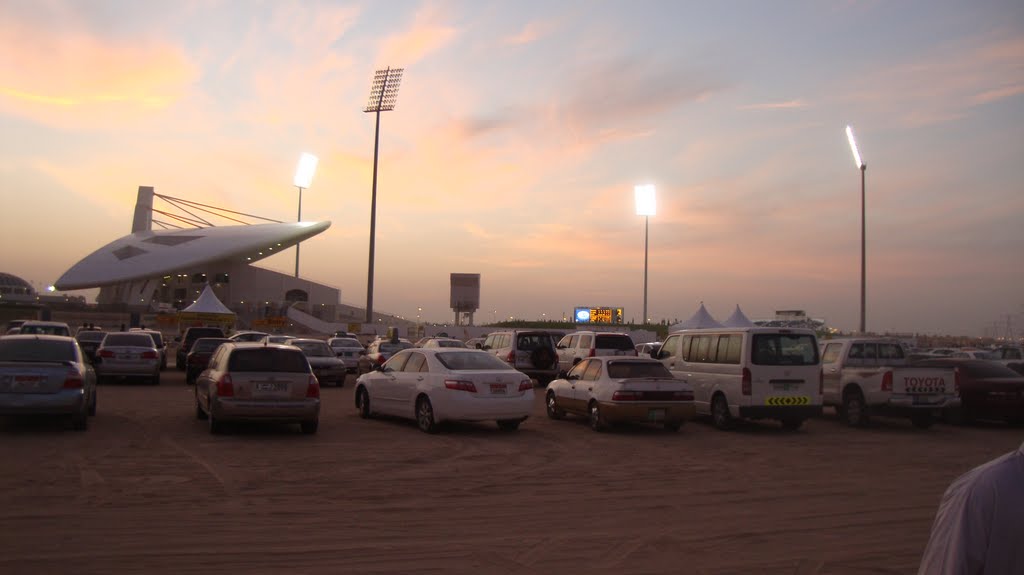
979	528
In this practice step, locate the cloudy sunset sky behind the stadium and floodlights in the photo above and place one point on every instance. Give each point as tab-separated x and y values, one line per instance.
520	134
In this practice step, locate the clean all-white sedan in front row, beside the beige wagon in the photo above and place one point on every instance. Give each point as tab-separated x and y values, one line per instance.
433	386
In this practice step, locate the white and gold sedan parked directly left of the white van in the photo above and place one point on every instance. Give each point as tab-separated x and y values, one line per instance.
609	390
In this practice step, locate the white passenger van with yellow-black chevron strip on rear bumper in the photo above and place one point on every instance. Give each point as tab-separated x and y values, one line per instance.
749	373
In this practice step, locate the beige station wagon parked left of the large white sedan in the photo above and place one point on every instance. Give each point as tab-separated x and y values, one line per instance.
255	382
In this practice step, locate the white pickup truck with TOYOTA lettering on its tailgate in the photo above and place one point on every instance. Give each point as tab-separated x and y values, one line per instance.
871	376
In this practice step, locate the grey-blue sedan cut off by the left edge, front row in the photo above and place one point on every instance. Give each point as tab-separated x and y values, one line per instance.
44	375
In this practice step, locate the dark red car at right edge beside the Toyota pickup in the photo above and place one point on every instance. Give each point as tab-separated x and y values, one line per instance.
989	390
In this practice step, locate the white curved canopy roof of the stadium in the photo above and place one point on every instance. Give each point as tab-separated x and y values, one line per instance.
150	254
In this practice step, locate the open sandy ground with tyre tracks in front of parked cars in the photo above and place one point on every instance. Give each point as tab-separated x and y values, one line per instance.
149	491
